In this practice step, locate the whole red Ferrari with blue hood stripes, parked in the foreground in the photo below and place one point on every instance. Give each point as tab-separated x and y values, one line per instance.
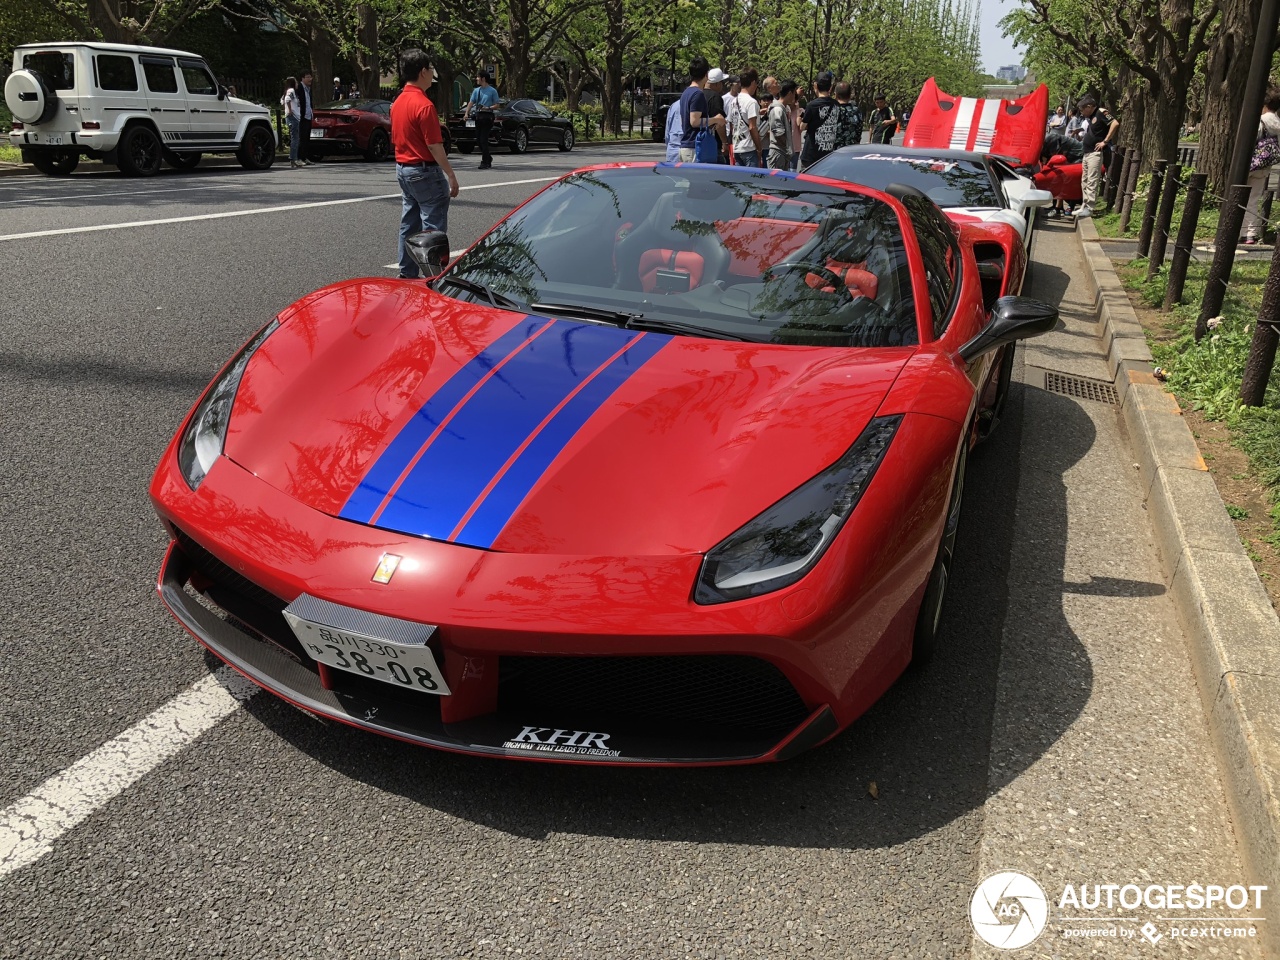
666	469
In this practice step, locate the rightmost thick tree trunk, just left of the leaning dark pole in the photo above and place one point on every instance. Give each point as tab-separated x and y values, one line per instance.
1226	75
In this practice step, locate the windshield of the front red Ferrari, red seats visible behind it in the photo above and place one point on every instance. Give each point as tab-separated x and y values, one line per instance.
752	257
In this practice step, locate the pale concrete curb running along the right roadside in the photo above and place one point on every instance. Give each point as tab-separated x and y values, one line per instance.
1229	620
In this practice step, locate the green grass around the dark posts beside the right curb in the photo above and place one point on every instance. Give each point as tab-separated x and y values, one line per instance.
1206	376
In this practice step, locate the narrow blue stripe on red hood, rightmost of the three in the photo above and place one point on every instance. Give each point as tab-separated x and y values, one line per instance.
519	482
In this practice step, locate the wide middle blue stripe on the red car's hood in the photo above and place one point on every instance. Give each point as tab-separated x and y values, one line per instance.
484	435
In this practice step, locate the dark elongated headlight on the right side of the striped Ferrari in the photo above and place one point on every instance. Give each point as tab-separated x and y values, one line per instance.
787	541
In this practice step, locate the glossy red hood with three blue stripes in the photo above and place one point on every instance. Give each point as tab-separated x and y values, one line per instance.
386	404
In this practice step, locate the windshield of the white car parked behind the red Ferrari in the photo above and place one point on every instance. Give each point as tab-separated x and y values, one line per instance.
945	182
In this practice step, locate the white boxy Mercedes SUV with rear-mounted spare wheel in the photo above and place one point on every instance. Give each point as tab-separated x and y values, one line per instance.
134	107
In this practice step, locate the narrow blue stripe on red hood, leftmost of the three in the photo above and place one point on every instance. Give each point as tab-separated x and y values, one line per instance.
365	500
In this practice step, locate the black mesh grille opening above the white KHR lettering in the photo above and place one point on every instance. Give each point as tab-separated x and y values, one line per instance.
730	694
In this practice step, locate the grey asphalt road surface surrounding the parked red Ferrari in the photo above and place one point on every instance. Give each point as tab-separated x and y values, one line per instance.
1059	732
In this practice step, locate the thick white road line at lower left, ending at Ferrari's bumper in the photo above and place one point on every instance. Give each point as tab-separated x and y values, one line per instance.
30	828
